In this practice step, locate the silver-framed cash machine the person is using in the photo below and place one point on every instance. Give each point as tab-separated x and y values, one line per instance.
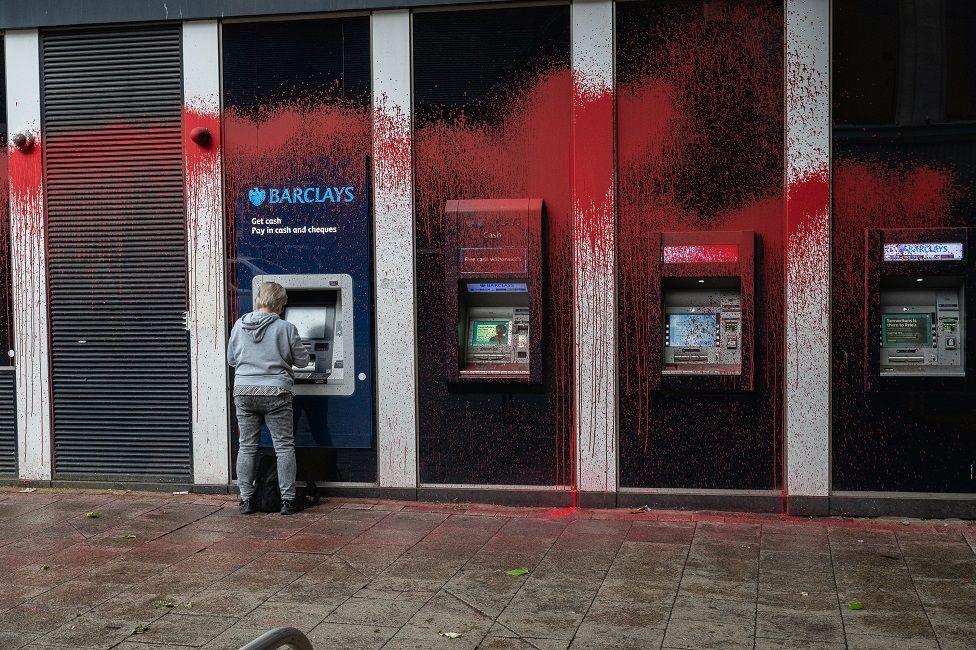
320	307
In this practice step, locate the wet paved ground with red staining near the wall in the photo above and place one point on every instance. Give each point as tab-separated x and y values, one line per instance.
365	574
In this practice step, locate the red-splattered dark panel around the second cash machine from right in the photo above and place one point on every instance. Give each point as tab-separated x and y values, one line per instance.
700	146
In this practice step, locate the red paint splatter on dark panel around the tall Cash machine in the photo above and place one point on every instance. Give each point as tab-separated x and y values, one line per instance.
525	154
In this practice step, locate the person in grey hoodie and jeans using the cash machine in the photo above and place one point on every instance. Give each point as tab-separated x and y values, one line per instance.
262	350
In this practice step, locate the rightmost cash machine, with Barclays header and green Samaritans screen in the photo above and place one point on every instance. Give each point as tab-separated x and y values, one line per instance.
918	292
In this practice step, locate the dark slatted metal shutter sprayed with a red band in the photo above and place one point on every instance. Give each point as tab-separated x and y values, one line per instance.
116	253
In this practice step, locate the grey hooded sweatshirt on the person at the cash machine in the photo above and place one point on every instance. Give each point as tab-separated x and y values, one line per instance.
263	348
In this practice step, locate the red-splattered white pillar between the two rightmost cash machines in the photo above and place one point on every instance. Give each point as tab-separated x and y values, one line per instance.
808	349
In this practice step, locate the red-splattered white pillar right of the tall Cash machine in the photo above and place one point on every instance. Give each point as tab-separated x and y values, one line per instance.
593	251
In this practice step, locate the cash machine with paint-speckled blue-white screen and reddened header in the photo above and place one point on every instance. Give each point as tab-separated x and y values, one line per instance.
702	306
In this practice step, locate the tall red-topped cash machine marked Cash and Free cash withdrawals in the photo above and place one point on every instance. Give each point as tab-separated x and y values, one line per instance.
493	275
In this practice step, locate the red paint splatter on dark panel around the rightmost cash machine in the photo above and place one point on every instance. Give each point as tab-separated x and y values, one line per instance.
878	446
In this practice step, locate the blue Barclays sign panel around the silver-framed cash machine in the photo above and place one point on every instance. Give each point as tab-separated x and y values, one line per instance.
307	226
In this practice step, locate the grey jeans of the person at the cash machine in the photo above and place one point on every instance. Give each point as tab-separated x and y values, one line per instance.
276	411
